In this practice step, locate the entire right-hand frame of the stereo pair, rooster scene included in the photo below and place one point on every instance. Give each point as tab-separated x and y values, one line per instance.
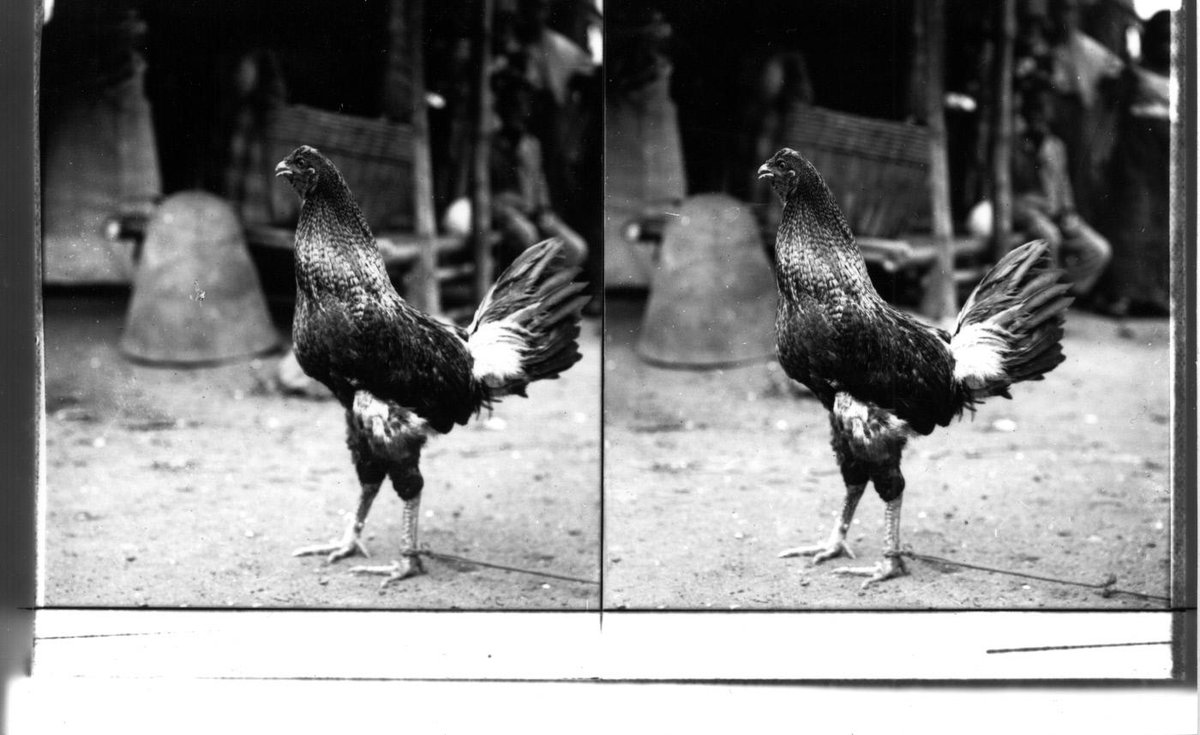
717	461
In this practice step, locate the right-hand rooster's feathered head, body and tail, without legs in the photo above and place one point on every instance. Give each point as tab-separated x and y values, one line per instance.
836	334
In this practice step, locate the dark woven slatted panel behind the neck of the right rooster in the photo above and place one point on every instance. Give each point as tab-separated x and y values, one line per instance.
877	169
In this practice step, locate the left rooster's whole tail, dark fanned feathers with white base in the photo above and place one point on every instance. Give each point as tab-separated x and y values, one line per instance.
527	327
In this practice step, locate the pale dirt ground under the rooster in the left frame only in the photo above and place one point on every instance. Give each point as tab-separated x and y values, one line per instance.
191	488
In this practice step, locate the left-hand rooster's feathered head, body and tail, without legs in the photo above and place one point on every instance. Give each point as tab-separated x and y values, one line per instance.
355	333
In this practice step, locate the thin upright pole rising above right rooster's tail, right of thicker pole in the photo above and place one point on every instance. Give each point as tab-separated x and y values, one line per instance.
1003	127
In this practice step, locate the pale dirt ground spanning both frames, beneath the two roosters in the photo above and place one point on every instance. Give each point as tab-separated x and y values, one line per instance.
190	488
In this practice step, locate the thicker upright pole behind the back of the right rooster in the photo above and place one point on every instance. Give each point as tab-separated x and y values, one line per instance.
940	300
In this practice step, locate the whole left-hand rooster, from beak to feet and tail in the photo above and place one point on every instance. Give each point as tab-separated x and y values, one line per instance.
400	374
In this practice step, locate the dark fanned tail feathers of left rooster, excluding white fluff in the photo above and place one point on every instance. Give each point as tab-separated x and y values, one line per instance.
538	295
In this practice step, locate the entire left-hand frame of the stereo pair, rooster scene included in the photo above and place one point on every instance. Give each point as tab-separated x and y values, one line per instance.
193	446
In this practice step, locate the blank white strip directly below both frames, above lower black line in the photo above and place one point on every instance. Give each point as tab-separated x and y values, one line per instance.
777	647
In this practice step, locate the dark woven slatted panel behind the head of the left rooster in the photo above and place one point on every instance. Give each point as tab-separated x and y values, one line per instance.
375	157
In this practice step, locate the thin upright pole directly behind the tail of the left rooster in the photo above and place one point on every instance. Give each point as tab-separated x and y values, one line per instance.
481	192
